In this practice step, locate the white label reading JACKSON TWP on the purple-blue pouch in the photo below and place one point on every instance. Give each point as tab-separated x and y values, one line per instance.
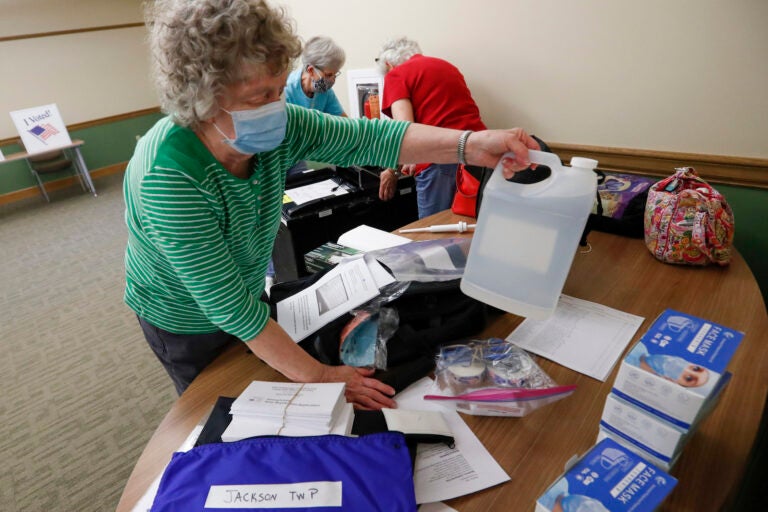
272	496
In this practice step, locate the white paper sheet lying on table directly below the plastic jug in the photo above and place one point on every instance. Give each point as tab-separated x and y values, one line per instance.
581	335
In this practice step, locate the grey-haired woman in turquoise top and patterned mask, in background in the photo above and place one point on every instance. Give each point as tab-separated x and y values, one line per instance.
310	86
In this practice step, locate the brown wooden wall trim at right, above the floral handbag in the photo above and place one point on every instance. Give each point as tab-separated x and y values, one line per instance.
729	170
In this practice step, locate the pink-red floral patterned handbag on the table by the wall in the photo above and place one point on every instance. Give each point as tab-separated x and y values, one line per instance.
687	221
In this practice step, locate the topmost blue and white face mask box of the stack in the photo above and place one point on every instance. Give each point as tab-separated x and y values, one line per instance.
676	366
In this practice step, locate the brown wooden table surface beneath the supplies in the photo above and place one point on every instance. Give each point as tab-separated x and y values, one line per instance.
618	272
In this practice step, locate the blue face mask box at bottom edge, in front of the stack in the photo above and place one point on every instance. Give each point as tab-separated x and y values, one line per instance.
608	478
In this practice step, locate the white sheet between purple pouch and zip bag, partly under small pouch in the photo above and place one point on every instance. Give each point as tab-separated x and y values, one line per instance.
442	473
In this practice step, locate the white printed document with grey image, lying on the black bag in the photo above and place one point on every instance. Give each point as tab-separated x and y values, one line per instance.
344	287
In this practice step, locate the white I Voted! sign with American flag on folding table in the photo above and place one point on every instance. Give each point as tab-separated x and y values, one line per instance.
41	128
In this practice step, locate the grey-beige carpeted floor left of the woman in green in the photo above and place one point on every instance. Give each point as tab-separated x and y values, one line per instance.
80	392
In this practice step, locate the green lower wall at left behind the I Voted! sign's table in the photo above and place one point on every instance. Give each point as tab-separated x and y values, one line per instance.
105	145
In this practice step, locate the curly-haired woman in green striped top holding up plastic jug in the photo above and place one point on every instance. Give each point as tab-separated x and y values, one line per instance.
204	188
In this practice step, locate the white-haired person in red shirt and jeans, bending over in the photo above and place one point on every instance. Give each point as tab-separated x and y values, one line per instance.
430	91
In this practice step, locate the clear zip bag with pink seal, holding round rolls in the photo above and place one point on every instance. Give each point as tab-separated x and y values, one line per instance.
493	377
